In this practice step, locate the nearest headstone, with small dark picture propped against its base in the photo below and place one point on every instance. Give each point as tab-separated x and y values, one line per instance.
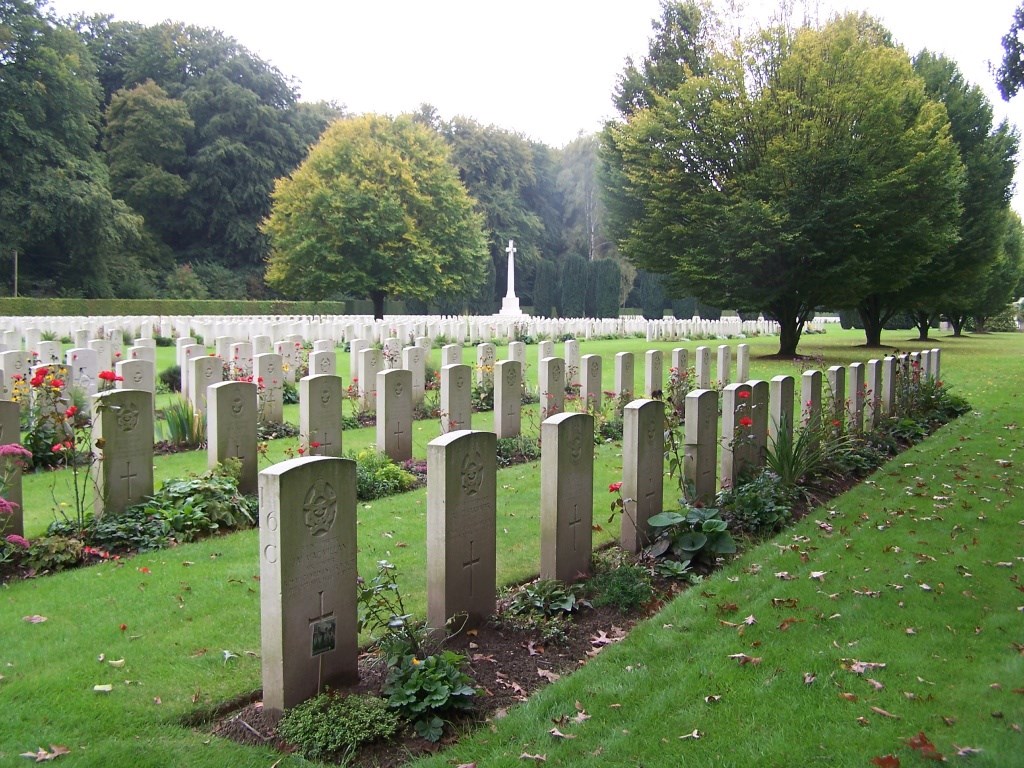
308	580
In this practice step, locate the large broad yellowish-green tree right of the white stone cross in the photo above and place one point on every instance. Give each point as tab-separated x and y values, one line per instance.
809	174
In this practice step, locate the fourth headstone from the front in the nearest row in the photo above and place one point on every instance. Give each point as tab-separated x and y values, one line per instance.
644	468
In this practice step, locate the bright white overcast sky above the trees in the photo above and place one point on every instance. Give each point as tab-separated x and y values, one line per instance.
543	68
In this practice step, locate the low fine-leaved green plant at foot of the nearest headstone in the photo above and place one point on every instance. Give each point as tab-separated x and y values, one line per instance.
329	728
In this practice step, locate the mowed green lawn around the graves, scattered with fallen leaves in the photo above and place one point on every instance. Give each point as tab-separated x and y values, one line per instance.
183	609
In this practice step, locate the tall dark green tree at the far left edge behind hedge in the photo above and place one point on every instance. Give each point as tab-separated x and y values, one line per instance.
56	204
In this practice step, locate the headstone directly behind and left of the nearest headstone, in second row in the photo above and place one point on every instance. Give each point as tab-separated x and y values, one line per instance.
232	418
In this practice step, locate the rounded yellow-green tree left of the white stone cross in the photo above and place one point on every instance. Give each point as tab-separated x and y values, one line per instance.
376	210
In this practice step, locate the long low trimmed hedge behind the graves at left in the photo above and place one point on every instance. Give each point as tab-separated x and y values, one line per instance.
29	307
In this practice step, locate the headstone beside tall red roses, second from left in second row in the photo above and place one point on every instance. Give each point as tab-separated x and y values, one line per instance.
123	425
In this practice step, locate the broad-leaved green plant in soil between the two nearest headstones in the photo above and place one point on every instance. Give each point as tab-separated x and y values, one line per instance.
423	691
